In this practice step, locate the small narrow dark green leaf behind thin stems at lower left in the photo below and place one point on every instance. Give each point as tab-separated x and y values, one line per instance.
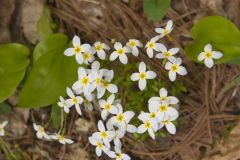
56	116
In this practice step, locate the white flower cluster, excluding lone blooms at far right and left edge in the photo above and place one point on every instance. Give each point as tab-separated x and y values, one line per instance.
93	82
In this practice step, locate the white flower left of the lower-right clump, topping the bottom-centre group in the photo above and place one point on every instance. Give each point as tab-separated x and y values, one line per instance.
121	120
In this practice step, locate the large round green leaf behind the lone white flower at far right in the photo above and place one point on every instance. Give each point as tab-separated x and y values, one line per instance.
218	31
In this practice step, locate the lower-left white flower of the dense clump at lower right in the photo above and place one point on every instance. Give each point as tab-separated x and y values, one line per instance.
149	125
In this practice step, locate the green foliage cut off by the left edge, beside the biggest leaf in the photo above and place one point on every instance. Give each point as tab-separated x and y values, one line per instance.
13	63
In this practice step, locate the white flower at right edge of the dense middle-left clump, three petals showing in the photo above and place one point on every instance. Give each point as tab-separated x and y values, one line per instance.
106	85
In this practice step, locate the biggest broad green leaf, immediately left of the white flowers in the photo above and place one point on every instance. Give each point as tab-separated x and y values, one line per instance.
50	75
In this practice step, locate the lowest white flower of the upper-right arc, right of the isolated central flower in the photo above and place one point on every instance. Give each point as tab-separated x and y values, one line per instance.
174	68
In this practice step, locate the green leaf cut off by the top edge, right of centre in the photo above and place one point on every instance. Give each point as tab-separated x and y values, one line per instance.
156	9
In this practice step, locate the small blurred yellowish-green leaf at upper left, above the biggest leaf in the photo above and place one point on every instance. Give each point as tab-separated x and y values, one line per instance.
45	23
